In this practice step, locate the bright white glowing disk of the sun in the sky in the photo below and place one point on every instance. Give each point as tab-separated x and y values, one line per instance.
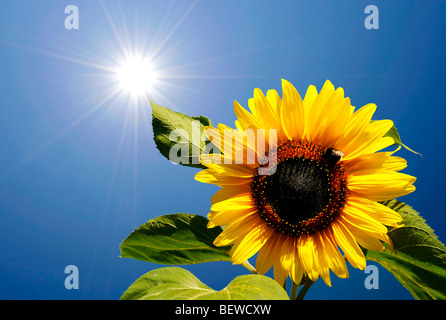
136	76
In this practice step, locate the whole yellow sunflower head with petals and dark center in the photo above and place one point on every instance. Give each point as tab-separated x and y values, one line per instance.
317	201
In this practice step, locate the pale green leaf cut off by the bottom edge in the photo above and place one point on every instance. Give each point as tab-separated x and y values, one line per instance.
174	283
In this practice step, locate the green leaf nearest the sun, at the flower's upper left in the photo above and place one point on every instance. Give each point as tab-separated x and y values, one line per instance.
179	137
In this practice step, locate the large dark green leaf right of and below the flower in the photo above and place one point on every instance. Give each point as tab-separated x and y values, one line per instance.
419	258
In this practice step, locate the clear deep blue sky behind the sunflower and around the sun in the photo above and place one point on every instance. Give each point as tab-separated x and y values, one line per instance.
78	166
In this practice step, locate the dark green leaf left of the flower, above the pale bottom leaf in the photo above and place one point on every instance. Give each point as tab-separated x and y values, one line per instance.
175	239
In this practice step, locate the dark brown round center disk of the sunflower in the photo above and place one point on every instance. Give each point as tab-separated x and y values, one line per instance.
305	193
